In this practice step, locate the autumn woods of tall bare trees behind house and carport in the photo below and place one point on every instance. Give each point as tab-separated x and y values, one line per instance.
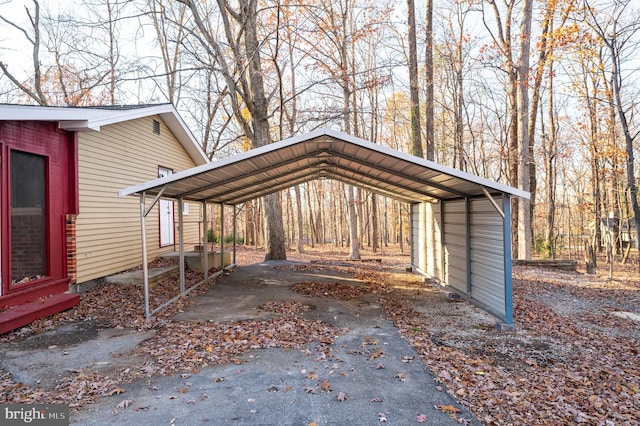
539	95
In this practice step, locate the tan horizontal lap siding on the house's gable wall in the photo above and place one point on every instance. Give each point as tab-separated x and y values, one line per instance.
108	227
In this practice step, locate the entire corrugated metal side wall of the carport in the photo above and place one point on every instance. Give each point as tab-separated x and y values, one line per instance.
463	255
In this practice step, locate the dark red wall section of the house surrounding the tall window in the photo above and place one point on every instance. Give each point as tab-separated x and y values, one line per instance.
59	147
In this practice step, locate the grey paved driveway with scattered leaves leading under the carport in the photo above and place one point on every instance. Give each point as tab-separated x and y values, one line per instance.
372	375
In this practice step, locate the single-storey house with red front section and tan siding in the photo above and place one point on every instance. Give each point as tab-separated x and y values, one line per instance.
62	223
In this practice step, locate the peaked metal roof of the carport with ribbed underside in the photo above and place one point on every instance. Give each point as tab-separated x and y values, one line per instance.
323	153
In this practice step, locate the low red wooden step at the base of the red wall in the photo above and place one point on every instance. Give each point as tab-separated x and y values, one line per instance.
24	314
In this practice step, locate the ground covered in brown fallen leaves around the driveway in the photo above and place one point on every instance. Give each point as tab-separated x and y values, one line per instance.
573	358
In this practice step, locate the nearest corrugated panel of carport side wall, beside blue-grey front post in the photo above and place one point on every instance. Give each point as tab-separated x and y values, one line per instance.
487	257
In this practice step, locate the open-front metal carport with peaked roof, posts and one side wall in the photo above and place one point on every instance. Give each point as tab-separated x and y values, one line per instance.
460	226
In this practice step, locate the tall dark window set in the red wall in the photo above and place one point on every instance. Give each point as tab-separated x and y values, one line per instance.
28	183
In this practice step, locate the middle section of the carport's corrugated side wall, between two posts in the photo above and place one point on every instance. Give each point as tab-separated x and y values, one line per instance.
455	241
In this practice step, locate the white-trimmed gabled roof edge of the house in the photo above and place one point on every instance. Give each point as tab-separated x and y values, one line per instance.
87	119
